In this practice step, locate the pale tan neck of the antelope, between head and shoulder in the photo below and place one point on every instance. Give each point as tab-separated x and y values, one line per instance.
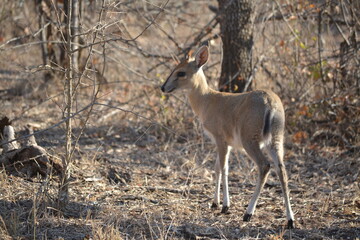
199	94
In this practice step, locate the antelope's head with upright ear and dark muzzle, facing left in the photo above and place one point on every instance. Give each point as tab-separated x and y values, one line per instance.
185	74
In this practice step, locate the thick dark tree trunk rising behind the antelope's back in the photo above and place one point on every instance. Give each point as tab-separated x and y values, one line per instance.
236	34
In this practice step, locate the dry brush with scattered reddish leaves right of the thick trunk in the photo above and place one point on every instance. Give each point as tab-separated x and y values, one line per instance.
313	66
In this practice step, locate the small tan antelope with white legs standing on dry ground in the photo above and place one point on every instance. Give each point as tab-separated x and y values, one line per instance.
253	121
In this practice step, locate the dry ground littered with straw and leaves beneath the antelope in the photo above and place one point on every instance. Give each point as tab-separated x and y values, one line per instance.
140	181
